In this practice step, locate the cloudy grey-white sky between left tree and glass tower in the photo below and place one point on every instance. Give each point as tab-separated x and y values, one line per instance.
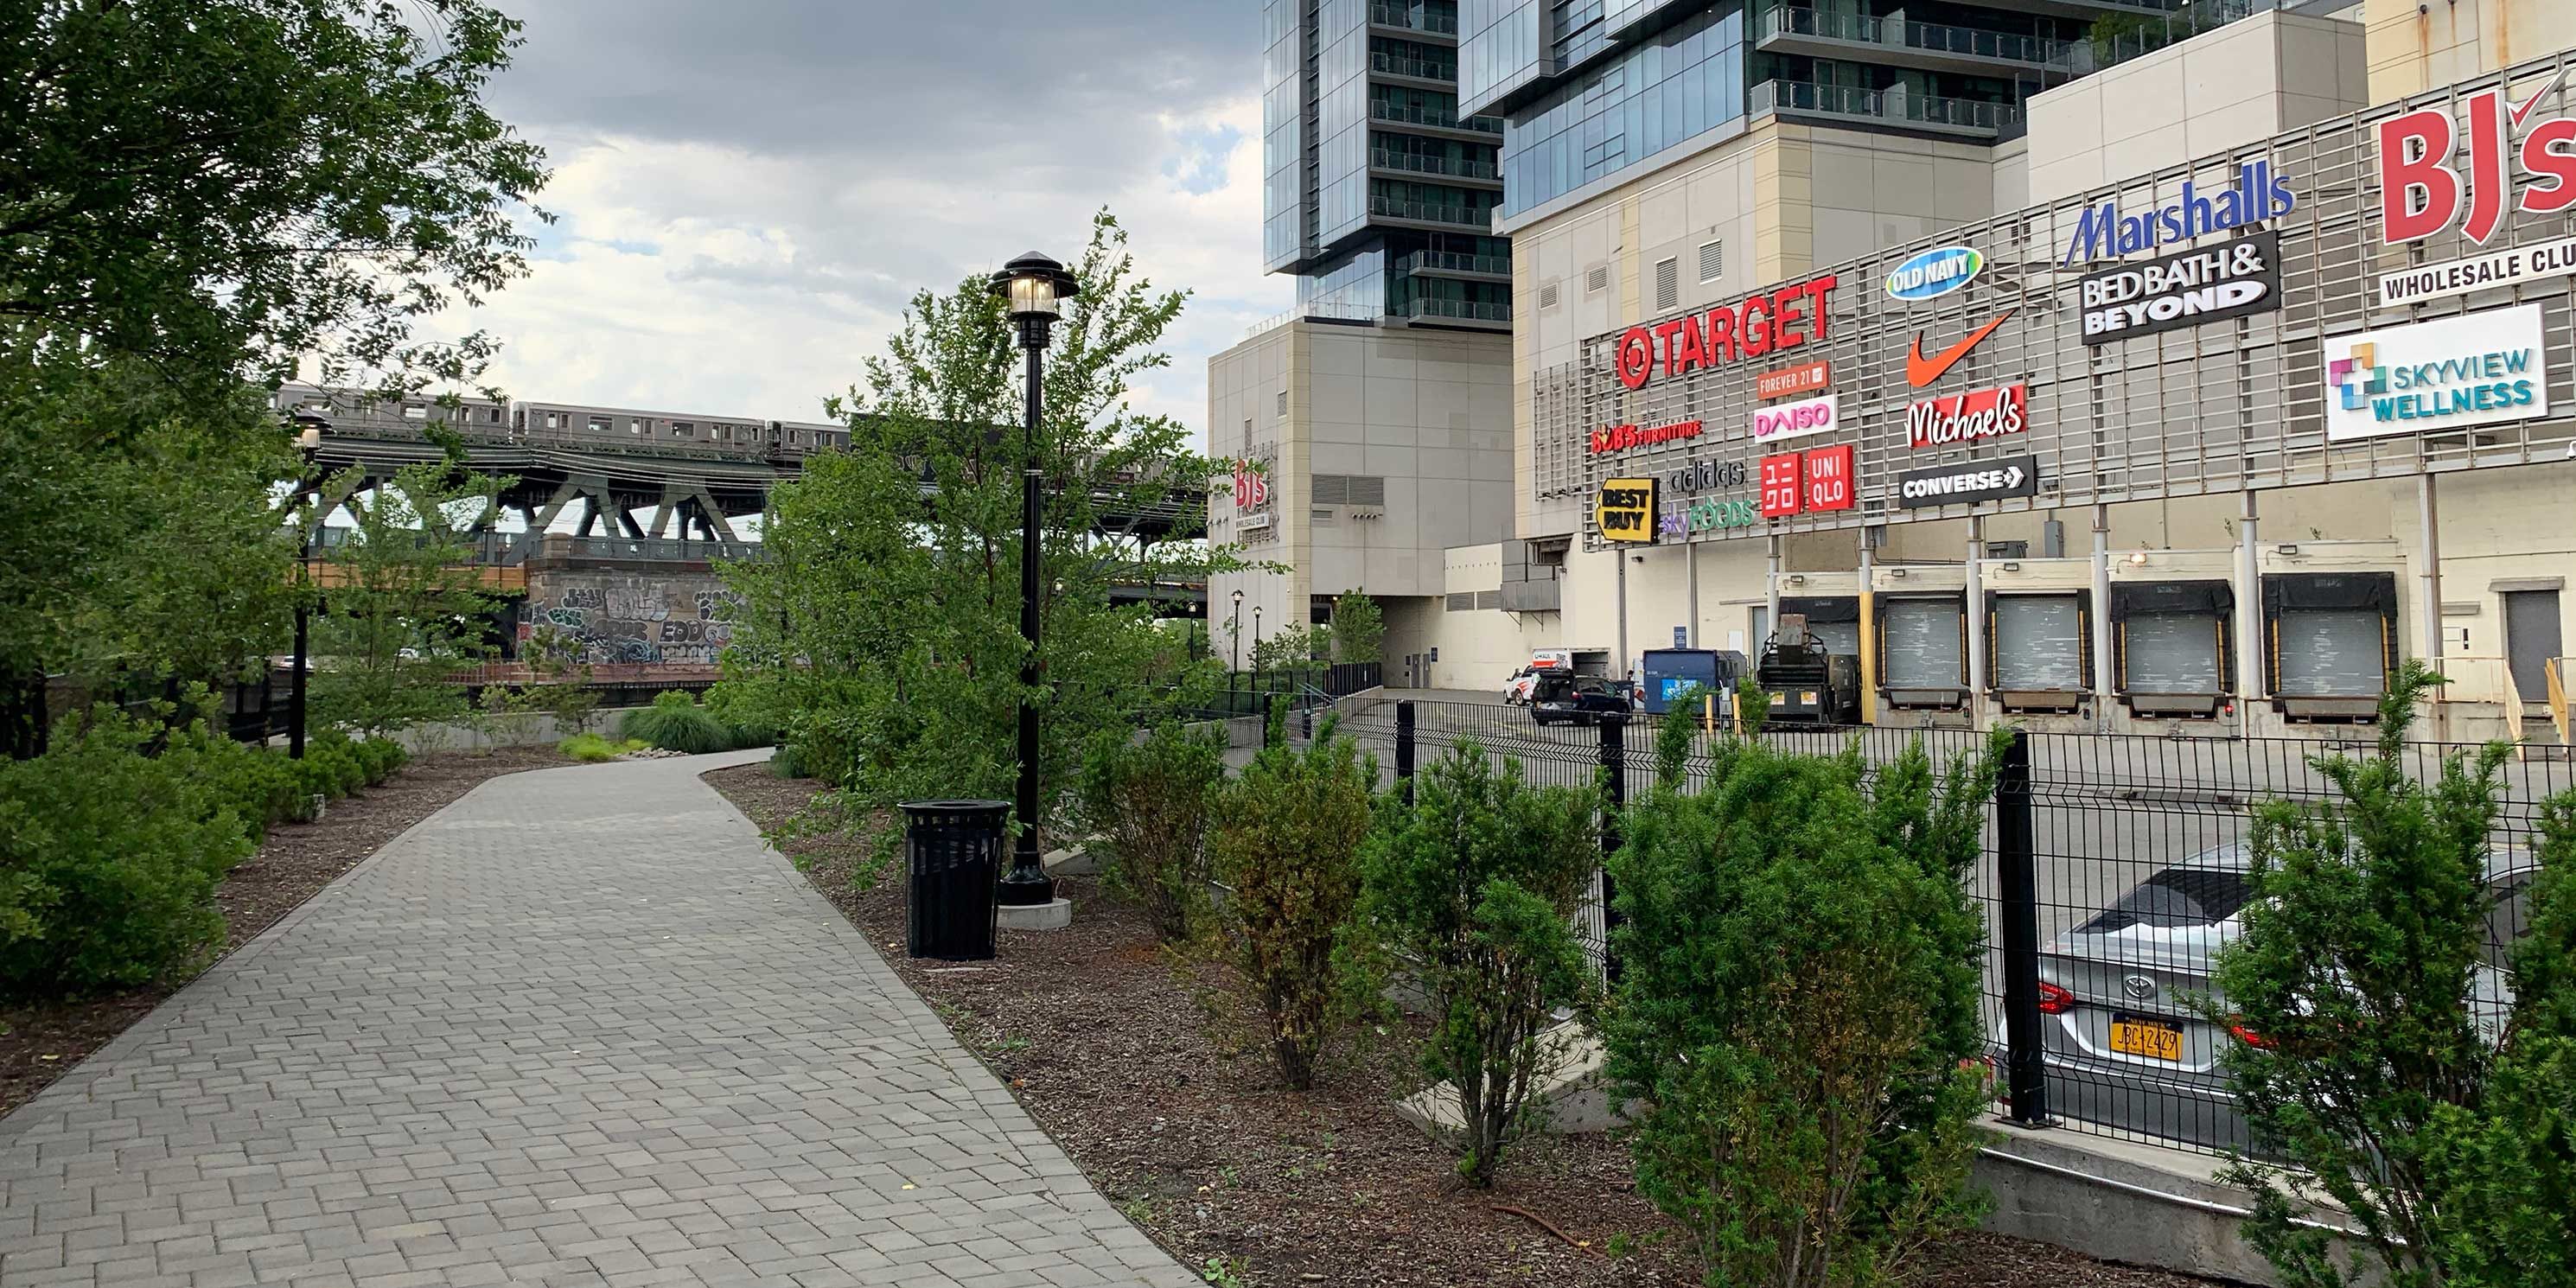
748	192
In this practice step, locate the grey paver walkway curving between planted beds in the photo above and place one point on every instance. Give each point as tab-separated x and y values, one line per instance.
578	1029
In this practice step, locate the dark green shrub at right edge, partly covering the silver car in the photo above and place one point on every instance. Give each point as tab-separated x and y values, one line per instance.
2382	1073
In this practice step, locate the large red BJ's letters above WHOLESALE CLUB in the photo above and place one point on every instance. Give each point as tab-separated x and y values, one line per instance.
2428	184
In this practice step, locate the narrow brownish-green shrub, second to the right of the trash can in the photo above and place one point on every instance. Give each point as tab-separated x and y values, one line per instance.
1289	854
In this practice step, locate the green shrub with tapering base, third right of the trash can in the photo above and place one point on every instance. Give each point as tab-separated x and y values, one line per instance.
1475	887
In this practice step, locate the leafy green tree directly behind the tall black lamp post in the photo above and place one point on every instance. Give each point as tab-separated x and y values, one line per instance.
882	632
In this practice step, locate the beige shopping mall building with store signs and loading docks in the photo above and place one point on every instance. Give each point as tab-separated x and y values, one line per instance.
2188	398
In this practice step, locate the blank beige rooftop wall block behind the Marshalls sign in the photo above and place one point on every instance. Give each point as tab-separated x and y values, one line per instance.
2232	86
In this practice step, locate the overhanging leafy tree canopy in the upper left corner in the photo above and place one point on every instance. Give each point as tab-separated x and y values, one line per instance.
223	184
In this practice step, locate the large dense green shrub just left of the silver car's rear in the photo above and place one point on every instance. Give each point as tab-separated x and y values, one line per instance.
1799	1011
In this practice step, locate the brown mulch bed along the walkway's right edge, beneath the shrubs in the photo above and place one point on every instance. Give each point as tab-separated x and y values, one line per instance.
1153	1075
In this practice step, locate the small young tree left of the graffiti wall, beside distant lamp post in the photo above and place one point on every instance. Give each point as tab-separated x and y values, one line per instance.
406	604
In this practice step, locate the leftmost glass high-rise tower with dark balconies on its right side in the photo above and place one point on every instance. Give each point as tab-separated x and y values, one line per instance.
1377	192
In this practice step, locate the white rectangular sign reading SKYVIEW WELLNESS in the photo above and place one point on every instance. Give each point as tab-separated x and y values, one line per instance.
2448	375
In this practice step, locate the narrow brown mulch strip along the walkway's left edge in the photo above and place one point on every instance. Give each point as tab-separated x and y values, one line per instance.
43	1042
